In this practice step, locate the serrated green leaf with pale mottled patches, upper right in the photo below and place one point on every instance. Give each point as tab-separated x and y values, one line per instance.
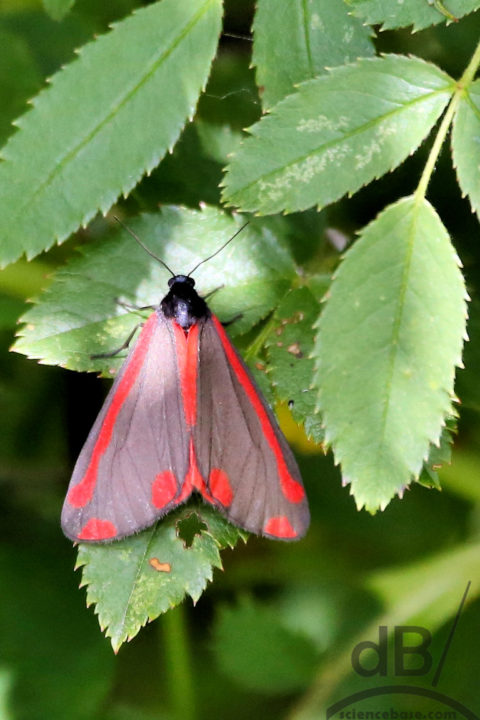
337	133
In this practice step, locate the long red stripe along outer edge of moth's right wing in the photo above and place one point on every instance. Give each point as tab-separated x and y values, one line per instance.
291	488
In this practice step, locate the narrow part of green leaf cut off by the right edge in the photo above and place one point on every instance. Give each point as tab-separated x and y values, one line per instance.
466	144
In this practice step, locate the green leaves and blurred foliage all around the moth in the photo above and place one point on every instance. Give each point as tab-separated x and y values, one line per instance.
348	133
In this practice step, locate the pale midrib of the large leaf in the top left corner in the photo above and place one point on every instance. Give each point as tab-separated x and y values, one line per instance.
155	64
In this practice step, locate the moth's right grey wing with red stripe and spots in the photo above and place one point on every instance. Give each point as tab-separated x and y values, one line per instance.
249	470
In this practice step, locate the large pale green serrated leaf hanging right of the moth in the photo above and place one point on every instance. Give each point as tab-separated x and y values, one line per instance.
389	339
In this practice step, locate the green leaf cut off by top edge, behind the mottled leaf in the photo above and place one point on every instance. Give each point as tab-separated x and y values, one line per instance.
296	41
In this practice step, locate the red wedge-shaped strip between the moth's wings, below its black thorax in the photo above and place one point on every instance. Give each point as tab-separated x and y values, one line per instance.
187	358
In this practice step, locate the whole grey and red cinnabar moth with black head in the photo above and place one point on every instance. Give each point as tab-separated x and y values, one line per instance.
184	414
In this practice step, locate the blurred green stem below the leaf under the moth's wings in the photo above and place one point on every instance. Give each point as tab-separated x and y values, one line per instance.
178	670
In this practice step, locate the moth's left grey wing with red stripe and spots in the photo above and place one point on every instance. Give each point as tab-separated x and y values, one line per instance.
133	464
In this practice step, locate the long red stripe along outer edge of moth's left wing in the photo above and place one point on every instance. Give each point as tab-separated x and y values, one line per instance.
82	493
